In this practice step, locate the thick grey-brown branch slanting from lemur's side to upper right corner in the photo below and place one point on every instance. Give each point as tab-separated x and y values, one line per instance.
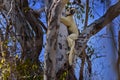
97	25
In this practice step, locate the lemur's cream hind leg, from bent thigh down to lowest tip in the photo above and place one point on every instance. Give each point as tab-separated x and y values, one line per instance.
71	43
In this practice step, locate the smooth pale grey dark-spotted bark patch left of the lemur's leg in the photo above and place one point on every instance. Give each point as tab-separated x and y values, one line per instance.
61	56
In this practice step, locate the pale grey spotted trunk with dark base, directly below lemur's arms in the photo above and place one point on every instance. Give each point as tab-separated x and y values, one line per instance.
62	65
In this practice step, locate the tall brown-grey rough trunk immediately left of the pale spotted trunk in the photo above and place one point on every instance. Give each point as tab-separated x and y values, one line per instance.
54	9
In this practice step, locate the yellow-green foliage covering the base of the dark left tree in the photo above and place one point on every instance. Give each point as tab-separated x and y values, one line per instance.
13	67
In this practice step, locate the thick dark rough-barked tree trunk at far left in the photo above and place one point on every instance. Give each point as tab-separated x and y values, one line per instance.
25	25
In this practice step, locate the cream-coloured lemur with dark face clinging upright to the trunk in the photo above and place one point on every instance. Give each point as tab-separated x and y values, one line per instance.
68	21
